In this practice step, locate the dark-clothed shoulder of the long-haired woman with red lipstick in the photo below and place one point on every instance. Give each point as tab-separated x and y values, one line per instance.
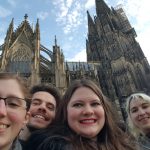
54	143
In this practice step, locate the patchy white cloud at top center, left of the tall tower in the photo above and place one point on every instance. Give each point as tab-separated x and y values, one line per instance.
69	14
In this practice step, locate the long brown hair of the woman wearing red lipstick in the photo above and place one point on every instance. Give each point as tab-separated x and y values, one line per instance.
111	137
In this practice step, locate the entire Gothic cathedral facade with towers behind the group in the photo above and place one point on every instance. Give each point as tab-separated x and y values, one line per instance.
115	59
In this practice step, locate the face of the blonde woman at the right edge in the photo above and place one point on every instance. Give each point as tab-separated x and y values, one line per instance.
140	114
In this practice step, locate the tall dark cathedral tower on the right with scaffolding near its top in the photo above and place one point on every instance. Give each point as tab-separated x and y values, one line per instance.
122	67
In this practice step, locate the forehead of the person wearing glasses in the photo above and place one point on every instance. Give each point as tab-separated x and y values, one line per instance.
10	86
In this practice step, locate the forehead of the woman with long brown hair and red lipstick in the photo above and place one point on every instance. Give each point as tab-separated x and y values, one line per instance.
83	93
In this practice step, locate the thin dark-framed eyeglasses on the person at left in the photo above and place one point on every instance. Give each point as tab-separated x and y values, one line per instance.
14	103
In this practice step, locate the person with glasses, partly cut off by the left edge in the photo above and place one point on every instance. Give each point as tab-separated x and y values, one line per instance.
13	110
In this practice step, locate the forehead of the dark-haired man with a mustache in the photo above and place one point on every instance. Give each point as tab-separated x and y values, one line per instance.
44	96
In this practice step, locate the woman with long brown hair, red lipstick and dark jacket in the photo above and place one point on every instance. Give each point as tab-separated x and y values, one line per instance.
85	121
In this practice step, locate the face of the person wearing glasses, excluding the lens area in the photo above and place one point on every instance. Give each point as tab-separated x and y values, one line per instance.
11	119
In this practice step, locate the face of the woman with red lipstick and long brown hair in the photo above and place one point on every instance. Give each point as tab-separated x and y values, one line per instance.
85	113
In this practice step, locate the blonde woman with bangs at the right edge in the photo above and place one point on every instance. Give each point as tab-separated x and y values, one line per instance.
138	110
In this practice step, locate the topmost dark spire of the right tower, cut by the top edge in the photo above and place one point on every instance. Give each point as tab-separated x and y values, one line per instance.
101	7
